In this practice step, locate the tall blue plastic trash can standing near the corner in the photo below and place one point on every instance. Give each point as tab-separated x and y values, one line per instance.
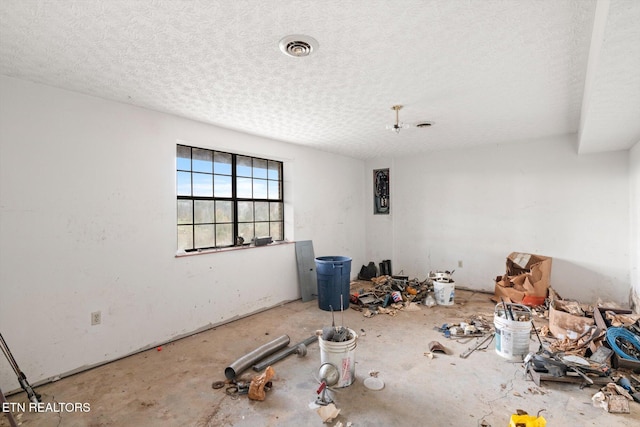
334	277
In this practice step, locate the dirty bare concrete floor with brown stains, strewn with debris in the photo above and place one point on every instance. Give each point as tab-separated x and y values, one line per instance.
173	387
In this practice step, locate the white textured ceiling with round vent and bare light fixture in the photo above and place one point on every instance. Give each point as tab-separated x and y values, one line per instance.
485	71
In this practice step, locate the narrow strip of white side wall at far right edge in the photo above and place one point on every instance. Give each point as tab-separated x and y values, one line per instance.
634	182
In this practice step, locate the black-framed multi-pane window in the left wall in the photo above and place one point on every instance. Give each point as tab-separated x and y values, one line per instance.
224	199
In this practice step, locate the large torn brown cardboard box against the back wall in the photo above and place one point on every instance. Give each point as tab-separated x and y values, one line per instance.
527	279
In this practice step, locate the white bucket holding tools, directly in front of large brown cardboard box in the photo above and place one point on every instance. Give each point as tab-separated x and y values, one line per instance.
512	336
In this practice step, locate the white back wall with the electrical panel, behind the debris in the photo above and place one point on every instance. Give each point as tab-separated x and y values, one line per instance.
480	204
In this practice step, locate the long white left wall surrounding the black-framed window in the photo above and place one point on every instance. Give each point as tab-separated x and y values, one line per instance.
87	223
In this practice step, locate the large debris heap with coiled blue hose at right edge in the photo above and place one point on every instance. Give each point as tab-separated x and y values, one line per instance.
589	345
